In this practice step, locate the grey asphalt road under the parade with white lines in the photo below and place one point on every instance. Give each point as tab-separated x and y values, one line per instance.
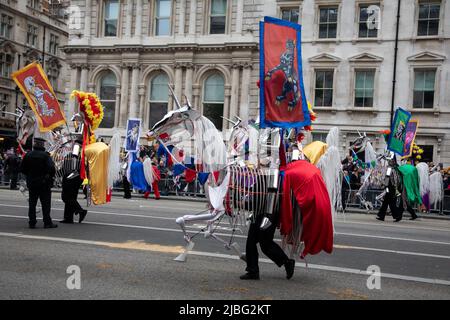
126	250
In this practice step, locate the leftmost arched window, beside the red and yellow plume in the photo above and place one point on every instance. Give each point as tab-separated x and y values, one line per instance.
108	99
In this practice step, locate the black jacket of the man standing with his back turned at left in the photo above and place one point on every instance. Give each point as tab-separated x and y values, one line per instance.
38	168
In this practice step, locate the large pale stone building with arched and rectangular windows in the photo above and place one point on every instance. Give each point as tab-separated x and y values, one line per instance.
128	50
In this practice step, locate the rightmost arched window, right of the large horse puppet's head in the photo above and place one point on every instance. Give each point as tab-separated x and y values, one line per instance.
213	99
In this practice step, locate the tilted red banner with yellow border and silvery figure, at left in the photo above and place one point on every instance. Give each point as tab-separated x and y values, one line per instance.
35	86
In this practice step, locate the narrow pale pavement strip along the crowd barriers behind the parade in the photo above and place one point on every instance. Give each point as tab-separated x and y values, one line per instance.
119	194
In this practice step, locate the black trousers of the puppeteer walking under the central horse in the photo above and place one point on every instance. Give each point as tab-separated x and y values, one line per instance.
268	246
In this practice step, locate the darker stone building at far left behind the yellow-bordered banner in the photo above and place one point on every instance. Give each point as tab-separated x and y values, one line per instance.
30	30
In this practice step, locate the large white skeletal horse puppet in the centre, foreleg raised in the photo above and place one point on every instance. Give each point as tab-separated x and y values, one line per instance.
234	191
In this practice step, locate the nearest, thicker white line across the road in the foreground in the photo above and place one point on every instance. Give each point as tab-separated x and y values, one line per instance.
232	257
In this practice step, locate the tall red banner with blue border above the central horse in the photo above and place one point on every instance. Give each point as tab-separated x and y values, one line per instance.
282	95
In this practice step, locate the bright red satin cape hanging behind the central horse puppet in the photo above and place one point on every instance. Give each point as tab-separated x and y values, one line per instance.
310	191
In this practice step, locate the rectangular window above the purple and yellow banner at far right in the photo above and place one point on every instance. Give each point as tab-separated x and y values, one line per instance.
424	88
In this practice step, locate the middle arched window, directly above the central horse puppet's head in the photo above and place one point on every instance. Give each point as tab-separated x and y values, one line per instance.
158	98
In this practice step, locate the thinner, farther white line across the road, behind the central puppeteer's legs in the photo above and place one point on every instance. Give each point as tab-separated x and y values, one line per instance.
244	237
